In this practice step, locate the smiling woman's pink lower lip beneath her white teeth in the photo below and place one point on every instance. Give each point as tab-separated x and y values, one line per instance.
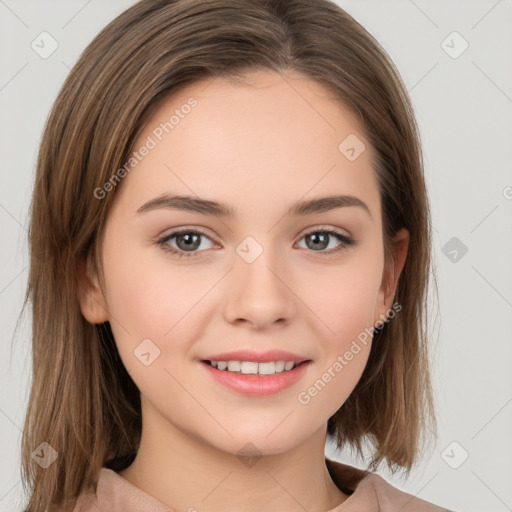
258	385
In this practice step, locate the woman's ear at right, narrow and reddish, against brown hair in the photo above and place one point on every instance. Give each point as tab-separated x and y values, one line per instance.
392	271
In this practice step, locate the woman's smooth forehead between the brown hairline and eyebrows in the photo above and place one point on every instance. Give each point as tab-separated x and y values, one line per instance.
267	139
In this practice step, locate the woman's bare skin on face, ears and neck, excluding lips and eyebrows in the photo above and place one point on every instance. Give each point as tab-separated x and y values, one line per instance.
259	147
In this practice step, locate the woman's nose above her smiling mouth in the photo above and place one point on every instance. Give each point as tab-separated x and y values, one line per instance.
260	293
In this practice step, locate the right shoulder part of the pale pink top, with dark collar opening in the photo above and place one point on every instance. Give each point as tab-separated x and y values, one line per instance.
369	491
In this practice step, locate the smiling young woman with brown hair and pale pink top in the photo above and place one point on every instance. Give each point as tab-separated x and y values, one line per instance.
230	253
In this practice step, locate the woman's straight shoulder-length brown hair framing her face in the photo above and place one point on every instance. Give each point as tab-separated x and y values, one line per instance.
82	402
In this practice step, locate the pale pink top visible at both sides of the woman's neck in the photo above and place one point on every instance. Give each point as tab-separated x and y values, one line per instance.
368	492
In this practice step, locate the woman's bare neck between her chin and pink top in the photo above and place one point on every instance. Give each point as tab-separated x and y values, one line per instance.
187	474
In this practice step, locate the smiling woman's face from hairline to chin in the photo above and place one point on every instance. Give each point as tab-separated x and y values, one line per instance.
185	286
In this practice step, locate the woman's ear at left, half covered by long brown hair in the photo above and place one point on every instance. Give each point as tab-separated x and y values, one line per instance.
92	302
